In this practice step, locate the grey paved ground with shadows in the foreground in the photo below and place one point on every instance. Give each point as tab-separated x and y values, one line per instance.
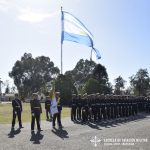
120	134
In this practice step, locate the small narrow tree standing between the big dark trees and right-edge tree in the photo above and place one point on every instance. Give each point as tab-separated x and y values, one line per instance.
119	85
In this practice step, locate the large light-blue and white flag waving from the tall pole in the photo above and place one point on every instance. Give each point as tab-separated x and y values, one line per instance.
74	30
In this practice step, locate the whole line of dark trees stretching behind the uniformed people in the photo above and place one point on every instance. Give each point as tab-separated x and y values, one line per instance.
37	74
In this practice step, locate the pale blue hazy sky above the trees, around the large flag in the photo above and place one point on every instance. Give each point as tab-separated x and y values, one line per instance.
121	30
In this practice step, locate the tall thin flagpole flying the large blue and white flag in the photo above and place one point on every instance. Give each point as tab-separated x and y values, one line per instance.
61	40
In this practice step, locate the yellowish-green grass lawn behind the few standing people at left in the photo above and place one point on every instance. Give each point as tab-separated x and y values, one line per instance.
6	113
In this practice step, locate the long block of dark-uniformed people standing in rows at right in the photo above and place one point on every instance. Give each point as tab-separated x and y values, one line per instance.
96	107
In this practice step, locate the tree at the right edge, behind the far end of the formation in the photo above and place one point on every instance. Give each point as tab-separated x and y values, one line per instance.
140	82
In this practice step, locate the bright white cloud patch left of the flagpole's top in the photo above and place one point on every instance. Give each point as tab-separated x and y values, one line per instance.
34	16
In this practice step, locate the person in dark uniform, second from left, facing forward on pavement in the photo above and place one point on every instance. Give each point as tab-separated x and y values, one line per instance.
36	111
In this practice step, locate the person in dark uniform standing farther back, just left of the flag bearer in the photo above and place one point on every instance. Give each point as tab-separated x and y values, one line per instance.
47	108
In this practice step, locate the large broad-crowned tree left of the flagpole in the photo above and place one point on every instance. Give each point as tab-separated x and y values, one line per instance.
30	74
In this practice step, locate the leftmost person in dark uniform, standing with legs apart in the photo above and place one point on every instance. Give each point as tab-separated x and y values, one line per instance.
17	110
